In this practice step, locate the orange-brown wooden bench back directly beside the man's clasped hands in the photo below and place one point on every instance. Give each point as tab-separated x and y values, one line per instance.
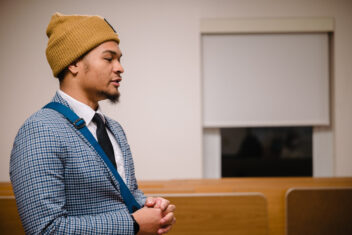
233	213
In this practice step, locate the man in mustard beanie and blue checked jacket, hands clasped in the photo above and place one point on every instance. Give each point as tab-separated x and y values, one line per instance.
61	184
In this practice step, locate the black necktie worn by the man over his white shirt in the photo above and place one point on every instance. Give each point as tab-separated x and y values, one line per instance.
103	138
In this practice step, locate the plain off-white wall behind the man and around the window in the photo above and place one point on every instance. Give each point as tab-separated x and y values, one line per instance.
160	106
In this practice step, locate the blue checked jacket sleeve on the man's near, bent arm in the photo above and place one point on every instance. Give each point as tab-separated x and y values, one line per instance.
37	175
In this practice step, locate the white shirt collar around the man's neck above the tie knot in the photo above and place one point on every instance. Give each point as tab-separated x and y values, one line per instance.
82	110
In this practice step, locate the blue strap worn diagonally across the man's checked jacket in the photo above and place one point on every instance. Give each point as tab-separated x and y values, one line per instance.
80	125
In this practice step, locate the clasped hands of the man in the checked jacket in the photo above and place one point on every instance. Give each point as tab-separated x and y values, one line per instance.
156	217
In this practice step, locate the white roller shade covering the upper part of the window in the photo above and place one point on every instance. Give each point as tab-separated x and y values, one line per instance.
265	80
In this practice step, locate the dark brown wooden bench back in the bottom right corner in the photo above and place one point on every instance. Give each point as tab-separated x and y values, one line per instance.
319	211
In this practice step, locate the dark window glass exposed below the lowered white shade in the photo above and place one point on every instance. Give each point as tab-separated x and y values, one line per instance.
277	151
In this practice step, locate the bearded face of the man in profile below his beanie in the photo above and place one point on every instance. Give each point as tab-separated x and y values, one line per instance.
101	72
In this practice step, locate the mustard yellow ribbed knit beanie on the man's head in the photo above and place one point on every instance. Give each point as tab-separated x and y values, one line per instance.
71	36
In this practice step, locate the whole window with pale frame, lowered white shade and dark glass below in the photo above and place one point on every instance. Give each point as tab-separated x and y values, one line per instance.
272	74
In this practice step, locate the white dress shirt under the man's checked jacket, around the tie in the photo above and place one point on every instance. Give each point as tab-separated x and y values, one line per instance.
87	113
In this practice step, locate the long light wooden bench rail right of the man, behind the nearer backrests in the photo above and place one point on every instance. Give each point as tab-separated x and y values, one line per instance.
274	189
